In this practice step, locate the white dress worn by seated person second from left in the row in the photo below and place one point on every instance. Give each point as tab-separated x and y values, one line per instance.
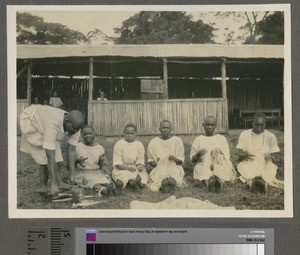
129	154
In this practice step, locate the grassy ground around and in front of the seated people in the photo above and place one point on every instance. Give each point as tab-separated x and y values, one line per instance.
235	194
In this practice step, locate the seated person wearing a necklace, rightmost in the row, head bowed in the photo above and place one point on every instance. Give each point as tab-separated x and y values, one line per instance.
258	151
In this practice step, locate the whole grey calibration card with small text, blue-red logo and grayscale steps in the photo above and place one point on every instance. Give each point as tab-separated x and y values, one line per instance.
174	241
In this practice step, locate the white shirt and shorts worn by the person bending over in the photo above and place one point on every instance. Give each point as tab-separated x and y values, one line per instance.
42	128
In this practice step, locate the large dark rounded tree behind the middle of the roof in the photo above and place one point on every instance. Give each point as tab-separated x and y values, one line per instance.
148	27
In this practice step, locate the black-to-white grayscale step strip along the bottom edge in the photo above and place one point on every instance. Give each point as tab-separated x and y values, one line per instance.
175	249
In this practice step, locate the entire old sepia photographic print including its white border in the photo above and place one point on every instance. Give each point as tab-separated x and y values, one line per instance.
150	111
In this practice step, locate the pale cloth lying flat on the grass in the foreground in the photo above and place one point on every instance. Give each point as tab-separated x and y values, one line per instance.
180	203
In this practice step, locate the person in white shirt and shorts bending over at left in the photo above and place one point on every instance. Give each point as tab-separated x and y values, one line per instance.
43	128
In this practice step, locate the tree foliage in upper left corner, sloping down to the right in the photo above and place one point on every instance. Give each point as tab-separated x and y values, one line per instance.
33	30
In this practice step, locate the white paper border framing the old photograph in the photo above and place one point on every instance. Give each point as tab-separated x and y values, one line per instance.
14	212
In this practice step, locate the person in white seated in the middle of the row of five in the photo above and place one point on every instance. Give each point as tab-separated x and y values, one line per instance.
166	155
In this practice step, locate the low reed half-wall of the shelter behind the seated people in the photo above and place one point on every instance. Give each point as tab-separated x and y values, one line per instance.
109	118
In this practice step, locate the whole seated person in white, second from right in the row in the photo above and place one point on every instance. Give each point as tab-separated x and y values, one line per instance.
211	154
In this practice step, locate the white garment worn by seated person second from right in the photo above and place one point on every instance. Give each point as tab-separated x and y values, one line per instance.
217	155
